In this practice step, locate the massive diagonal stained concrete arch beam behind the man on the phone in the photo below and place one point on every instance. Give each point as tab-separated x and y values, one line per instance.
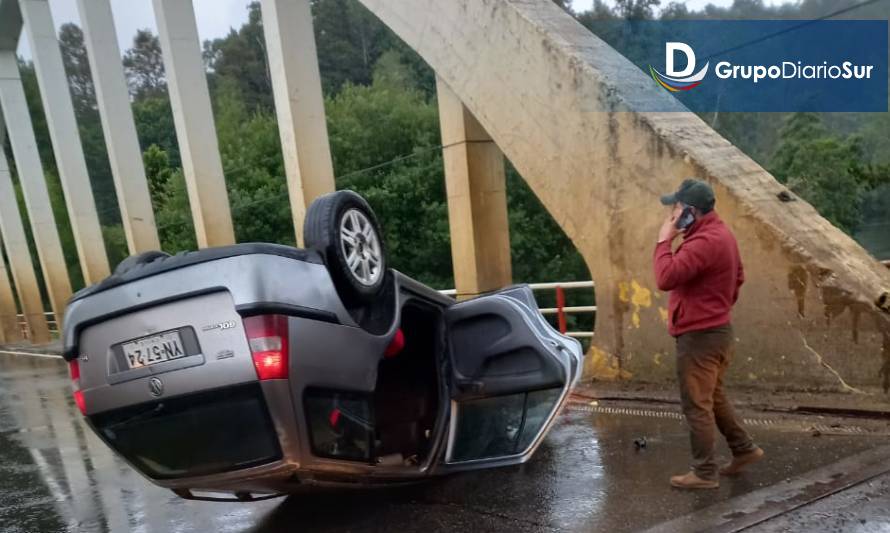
564	108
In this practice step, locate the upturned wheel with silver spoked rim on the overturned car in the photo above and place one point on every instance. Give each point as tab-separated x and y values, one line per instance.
342	227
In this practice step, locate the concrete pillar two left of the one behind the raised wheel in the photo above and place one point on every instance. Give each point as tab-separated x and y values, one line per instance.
118	126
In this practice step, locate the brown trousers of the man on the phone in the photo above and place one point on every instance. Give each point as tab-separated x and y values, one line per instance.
702	360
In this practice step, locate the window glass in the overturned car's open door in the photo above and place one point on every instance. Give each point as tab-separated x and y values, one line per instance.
500	426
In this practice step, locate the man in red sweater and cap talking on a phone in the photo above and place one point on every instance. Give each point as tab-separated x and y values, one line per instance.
703	276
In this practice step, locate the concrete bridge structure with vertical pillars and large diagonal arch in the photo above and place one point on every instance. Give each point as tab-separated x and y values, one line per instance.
516	78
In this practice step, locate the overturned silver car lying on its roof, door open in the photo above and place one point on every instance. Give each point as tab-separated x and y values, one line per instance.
250	371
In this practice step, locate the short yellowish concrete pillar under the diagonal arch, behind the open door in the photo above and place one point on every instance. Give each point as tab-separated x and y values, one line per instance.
477	199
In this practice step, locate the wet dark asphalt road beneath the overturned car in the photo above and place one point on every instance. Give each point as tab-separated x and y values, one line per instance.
55	475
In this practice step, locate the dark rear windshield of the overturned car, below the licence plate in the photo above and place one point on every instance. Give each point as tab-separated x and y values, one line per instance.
193	435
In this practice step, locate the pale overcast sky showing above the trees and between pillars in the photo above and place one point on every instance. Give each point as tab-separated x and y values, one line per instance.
216	17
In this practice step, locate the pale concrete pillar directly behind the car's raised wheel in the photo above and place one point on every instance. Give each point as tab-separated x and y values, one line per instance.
296	86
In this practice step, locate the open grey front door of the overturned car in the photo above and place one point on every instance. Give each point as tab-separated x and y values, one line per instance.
511	374
